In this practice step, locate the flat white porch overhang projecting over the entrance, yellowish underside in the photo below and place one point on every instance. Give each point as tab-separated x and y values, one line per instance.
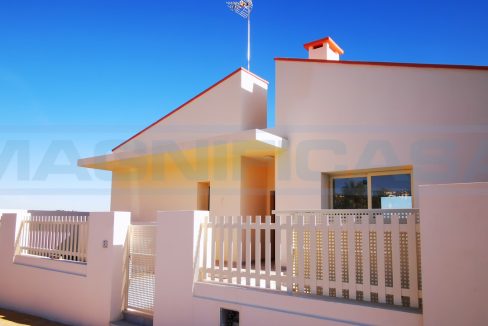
251	143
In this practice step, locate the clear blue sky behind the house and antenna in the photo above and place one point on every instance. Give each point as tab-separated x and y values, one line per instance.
79	76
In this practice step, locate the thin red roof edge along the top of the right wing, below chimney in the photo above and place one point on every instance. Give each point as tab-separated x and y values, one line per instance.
386	64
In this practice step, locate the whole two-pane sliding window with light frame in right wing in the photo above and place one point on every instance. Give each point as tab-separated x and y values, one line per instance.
377	190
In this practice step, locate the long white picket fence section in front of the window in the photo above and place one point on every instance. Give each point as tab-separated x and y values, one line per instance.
366	255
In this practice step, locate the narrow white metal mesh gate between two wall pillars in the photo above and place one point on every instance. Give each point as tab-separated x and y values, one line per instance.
141	268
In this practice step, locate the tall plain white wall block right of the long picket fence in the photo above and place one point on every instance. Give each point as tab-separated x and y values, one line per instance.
454	226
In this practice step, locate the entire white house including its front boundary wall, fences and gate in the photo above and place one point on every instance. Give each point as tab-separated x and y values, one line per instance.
363	205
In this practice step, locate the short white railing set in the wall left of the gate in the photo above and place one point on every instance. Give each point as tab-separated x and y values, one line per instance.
55	237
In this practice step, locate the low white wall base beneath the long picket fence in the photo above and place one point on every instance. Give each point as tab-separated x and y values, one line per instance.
284	309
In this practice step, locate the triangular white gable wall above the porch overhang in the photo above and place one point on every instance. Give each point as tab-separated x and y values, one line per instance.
237	103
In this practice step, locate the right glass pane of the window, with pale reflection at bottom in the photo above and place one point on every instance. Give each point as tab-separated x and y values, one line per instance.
391	191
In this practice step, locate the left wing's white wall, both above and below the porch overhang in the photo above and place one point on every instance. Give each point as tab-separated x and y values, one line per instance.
169	181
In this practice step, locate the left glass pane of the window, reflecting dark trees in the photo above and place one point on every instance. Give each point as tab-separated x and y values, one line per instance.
350	193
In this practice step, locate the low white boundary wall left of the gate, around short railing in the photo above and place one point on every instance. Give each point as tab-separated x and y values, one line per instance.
49	289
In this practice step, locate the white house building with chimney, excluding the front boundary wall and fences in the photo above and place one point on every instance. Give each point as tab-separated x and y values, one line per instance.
385	127
